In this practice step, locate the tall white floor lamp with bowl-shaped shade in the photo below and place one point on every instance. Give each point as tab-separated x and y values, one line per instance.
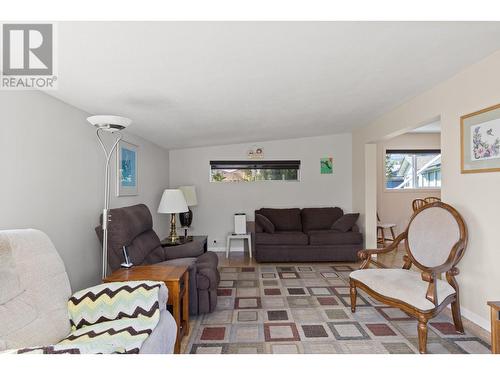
109	124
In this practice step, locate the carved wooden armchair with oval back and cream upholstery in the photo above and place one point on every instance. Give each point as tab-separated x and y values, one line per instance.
435	241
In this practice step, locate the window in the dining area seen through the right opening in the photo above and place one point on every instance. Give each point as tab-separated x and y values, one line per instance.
412	169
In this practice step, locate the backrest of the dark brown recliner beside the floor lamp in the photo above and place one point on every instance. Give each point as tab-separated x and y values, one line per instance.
132	227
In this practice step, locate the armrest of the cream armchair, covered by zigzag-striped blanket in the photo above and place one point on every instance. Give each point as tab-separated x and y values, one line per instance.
116	300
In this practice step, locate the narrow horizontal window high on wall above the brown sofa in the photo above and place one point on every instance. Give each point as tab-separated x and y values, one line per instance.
252	171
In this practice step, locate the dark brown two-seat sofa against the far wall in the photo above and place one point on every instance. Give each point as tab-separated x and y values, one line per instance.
305	235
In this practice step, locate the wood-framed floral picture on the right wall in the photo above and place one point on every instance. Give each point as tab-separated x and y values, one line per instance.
480	141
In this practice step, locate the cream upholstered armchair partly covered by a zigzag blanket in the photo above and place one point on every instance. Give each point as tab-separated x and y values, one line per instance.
34	294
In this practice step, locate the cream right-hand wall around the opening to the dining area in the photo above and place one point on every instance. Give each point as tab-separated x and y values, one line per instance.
476	196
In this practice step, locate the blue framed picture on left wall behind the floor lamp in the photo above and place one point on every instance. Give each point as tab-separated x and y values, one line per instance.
127	164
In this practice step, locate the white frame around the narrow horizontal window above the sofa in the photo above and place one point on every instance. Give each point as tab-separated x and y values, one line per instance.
292	164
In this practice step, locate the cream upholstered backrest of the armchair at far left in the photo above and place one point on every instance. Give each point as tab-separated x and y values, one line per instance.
36	314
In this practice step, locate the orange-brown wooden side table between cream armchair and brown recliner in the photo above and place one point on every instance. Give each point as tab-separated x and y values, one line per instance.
176	278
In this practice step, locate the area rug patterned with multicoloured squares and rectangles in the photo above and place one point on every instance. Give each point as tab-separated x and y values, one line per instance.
305	308
